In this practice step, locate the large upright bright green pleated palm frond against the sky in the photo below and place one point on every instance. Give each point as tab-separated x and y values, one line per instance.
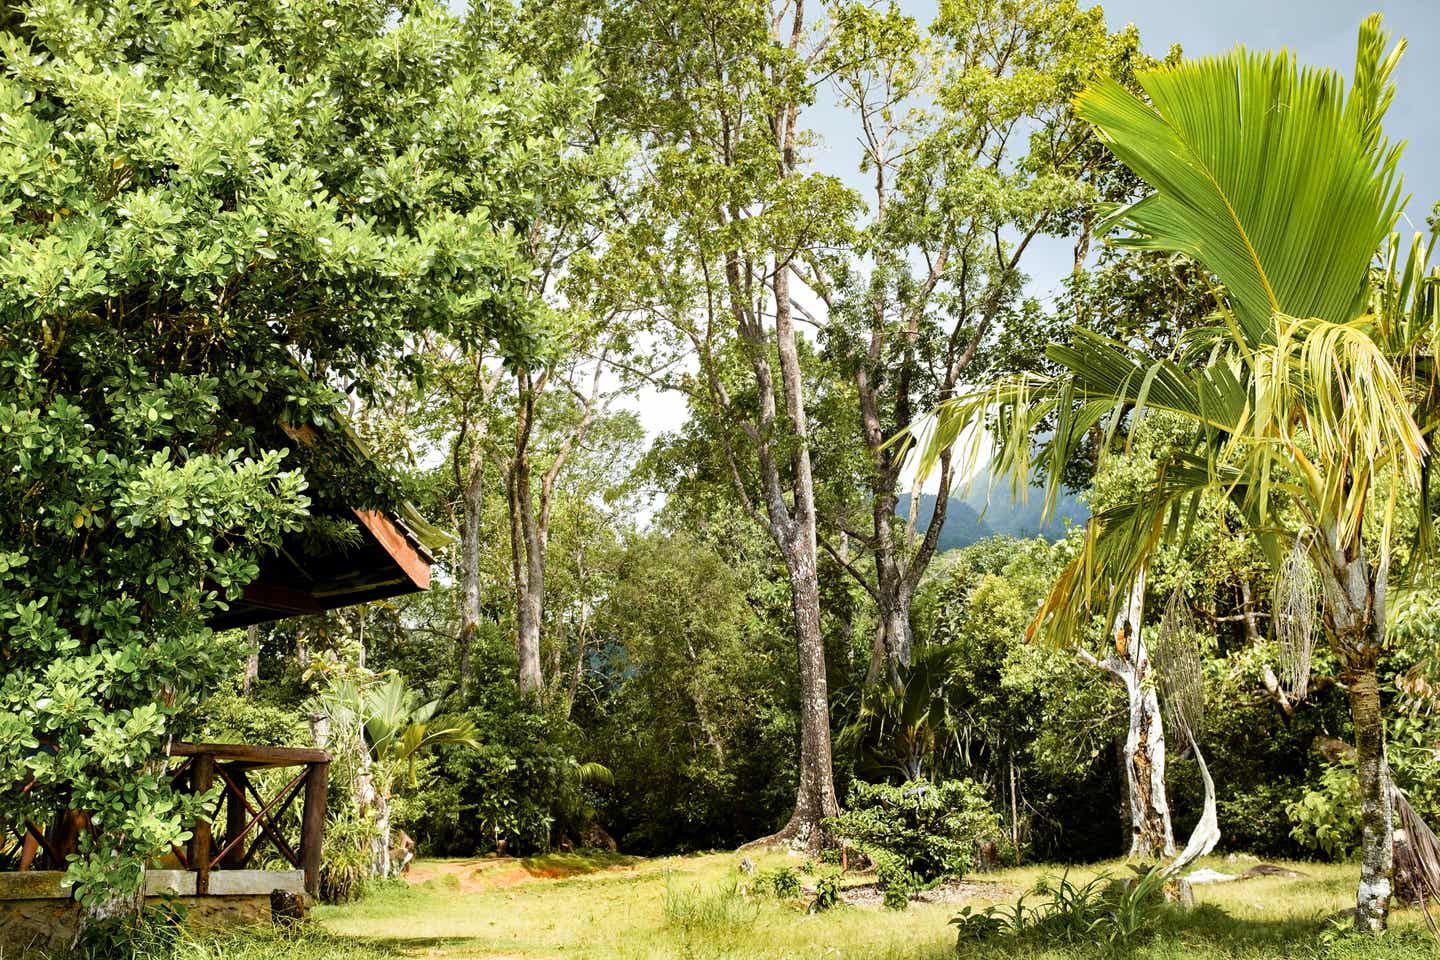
1265	173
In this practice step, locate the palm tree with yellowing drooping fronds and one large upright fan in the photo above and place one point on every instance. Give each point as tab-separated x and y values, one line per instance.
1305	398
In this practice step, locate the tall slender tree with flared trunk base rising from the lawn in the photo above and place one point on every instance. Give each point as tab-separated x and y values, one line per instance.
726	214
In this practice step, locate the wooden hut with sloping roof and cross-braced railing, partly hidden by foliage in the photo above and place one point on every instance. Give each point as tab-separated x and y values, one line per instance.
240	853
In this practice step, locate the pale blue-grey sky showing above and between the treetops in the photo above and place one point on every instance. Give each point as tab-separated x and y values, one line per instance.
1320	32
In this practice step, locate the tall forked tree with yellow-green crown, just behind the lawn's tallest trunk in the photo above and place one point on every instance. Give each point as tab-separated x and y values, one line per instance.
928	296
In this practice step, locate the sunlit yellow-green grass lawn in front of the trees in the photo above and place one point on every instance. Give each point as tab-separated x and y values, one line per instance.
614	909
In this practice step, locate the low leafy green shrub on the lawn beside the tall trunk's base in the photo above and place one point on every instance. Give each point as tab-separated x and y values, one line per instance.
921	828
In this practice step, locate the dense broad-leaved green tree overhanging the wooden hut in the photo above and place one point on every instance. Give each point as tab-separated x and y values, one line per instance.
201	248
